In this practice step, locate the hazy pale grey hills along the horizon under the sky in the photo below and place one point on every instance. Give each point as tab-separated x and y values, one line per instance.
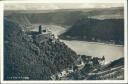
65	17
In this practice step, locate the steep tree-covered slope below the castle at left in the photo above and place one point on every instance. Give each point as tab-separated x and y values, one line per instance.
24	58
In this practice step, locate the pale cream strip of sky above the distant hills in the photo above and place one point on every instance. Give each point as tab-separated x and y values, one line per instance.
53	6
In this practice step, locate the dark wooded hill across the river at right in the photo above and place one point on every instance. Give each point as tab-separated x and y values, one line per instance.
107	30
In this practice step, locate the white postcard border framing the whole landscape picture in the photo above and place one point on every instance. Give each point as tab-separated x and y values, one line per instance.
67	81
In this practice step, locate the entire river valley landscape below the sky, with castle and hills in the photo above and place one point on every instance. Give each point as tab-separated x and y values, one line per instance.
84	44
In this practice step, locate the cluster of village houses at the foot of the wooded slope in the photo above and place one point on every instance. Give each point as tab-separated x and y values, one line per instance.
79	64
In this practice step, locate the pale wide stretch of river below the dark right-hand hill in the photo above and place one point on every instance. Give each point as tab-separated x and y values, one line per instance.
95	49
